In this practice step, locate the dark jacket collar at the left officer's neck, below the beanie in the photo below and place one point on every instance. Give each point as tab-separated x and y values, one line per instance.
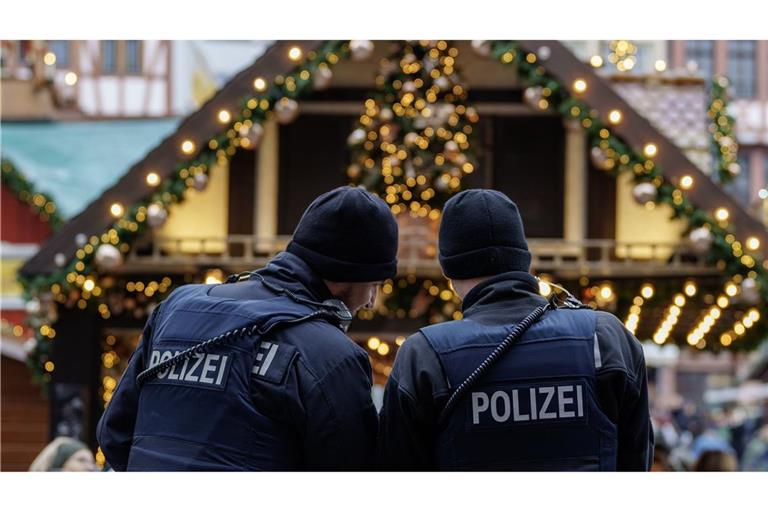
292	273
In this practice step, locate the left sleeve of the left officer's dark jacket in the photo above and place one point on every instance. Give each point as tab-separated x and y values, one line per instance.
114	431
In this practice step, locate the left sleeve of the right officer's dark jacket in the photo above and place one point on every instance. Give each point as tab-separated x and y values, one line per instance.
415	392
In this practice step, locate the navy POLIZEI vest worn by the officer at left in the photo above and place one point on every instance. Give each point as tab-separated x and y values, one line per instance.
199	415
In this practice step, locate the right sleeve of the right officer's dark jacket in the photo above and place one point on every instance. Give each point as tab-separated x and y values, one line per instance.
623	392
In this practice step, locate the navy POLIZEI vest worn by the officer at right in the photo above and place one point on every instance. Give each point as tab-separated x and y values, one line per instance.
536	408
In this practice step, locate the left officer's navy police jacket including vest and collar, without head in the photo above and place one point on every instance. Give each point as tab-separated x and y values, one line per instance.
294	395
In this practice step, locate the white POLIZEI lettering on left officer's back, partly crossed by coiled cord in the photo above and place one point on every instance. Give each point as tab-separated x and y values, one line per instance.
204	370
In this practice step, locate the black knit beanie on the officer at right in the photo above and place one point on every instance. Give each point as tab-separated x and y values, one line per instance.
481	234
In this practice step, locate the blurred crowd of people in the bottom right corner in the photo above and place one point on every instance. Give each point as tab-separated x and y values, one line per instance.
697	438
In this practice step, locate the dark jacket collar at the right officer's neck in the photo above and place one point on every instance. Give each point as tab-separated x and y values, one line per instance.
508	290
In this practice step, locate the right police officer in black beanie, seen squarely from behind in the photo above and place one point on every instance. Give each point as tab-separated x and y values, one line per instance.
570	393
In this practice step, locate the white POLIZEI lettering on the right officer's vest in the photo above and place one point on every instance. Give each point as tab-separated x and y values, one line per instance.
542	403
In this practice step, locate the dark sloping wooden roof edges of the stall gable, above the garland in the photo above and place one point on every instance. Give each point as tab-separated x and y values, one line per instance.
201	125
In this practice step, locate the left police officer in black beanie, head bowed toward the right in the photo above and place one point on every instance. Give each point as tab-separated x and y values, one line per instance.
257	373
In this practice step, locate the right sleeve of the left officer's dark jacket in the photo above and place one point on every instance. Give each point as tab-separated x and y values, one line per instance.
341	420
